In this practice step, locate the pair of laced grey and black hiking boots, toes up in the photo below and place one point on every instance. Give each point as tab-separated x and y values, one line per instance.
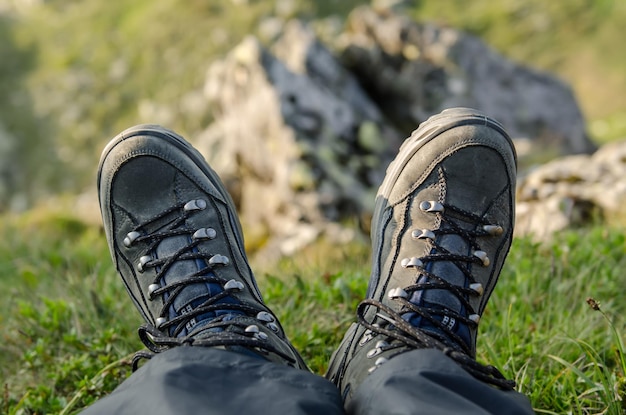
441	230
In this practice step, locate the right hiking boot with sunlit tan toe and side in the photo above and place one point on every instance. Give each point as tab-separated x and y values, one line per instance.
441	230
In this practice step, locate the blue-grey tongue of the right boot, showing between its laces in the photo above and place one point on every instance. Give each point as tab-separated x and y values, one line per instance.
439	298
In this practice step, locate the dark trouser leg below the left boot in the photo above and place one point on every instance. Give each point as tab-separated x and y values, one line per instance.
195	380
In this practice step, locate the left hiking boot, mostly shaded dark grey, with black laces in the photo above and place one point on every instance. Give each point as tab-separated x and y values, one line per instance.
175	239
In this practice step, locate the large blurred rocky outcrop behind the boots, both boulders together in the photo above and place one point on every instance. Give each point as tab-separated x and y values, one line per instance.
302	138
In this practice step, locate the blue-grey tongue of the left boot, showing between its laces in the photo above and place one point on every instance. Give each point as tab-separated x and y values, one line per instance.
192	295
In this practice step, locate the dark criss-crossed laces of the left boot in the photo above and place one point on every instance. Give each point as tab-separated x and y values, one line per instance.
227	325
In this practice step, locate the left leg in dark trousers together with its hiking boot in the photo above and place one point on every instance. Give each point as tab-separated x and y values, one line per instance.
176	241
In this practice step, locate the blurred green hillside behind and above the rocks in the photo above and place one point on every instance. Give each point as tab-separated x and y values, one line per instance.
75	73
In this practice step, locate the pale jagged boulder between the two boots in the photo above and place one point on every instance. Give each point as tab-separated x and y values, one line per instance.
297	141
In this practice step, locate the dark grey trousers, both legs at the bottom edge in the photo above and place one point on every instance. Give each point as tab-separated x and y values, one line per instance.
196	380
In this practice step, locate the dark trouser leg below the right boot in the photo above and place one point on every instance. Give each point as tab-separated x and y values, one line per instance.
426	381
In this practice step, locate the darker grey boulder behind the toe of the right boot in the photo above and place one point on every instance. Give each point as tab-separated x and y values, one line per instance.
414	70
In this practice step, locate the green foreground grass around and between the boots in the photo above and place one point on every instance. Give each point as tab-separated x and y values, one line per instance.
69	328
